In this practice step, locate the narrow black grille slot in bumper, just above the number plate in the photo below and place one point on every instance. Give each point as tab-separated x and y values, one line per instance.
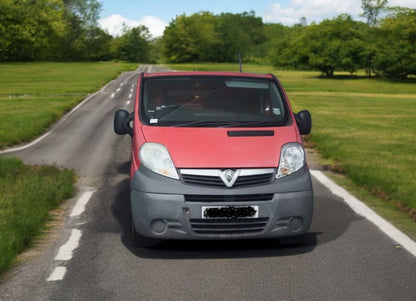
228	198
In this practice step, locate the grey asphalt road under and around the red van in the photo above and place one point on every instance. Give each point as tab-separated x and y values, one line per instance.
344	257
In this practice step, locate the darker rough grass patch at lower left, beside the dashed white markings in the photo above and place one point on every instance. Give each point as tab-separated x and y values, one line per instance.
28	193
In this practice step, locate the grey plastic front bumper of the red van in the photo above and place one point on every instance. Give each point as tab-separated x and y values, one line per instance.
164	208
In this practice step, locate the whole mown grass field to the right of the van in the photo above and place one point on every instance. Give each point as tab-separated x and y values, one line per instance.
363	128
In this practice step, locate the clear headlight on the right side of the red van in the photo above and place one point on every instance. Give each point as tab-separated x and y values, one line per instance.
292	158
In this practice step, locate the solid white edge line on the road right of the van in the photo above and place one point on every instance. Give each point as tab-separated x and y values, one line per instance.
362	209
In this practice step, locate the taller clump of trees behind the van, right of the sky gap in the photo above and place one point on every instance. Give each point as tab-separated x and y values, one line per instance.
385	45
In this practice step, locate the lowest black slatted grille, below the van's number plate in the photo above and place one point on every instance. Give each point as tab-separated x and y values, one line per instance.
228	226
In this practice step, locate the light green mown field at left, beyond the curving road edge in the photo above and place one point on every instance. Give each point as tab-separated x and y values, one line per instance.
34	95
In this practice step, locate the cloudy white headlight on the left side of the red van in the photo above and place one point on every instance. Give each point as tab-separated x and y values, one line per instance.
156	158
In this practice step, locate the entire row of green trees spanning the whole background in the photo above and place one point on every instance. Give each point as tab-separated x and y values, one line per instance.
67	30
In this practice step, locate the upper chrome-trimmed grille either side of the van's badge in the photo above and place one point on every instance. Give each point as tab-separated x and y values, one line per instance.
214	180
